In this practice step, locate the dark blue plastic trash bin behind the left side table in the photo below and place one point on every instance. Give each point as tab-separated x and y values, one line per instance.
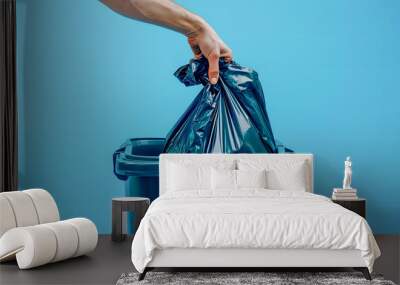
136	162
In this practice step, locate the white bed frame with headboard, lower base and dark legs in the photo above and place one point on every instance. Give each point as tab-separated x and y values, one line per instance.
245	259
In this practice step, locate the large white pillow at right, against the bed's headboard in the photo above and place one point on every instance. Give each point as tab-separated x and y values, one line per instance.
281	174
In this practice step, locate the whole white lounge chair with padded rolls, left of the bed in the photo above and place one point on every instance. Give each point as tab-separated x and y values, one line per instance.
31	233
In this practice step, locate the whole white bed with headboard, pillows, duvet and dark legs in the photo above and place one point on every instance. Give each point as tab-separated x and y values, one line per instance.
201	226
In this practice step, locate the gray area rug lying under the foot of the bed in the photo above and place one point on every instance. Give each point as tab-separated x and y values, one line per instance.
229	278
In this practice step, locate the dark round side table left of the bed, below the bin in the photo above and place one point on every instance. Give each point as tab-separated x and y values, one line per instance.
137	205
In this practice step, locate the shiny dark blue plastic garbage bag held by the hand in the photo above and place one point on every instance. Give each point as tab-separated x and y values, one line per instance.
228	117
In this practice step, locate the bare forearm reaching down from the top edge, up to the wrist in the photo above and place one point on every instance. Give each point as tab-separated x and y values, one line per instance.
164	13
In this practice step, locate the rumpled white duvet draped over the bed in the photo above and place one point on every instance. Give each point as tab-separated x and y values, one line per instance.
250	219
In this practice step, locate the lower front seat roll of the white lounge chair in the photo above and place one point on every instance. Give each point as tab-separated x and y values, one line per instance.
40	244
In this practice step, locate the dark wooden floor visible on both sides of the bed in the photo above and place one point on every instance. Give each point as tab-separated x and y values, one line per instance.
110	260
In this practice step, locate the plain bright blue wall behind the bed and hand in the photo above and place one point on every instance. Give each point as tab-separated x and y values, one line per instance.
89	79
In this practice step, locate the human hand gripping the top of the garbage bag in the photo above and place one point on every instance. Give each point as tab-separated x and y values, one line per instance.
205	42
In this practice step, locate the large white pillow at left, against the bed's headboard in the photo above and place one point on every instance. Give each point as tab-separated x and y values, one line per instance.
190	175
